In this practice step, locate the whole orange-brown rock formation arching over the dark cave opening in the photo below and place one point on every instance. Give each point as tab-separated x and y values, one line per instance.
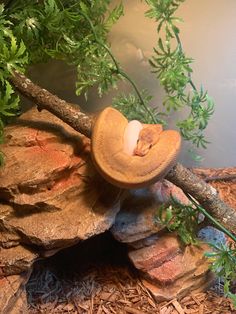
51	198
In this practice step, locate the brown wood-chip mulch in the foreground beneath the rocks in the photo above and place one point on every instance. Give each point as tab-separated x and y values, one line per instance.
108	289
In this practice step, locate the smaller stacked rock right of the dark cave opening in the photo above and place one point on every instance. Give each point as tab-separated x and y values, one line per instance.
168	268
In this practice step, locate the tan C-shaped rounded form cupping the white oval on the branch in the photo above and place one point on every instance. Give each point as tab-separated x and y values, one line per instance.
121	169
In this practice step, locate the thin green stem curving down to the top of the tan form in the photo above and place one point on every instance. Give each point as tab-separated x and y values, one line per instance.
118	69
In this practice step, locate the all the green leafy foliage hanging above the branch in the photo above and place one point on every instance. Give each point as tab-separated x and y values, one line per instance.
76	32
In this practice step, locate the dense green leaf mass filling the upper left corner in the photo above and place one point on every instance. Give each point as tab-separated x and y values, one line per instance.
74	31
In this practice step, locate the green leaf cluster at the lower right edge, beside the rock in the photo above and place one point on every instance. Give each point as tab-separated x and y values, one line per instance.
223	264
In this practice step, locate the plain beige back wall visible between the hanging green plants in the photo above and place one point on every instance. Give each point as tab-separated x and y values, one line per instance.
208	36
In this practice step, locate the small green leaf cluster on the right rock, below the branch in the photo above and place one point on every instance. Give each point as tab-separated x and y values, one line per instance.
180	218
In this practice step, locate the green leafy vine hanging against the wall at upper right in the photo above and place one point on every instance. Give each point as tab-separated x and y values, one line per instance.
173	69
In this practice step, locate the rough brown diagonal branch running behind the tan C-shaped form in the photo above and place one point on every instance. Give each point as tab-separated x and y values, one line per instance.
190	183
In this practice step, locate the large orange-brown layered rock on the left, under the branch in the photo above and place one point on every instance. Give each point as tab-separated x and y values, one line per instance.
51	196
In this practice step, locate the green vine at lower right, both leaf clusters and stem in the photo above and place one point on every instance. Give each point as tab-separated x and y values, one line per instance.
184	220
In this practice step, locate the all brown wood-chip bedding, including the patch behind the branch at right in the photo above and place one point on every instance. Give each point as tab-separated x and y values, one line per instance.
114	288
